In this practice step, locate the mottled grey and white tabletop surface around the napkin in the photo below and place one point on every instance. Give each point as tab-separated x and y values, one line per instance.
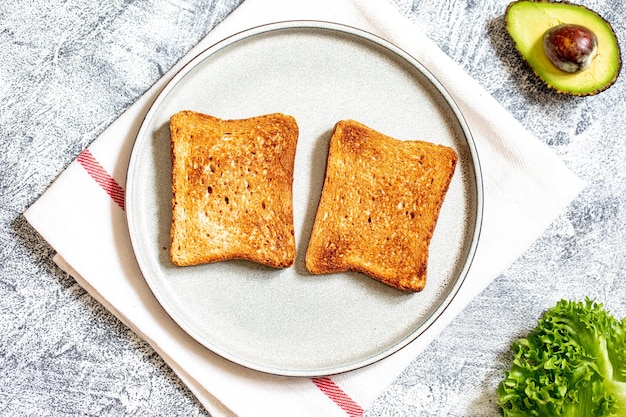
69	68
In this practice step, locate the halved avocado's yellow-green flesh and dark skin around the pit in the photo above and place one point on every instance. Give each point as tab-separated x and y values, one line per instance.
528	20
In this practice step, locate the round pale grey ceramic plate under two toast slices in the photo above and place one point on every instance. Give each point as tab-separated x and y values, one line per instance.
287	321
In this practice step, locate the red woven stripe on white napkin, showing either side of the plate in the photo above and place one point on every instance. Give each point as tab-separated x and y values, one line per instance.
116	192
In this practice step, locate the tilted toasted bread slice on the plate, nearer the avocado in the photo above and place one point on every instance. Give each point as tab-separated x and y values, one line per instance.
380	202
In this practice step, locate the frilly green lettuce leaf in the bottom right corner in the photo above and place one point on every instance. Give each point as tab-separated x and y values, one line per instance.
572	364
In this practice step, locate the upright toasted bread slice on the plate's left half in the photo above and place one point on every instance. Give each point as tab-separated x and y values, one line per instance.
232	189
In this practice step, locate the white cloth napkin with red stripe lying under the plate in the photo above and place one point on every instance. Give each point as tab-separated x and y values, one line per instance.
526	186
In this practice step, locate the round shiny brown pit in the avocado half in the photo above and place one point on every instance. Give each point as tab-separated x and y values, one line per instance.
570	47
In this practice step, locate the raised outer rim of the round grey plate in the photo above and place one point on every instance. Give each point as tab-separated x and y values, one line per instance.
476	173
